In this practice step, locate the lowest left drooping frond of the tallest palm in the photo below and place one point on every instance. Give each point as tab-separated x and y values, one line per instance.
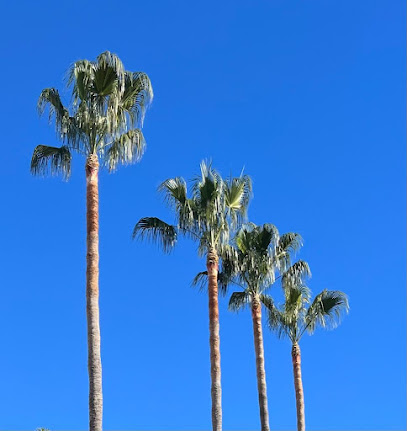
51	160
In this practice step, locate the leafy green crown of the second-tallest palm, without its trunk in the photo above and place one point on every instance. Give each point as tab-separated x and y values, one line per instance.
215	208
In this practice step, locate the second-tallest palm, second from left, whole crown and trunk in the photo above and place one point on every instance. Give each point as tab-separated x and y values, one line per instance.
214	209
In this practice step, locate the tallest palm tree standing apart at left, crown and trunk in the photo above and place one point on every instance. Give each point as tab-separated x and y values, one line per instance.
104	124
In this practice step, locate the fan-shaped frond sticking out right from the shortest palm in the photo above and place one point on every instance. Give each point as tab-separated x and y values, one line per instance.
326	310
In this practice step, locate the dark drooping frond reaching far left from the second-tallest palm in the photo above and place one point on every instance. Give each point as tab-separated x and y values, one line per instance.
156	230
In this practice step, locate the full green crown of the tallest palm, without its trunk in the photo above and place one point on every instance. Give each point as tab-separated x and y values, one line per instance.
105	117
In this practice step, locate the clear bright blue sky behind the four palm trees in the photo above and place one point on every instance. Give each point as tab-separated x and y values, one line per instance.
308	96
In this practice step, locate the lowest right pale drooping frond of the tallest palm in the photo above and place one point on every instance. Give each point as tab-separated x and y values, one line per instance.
127	148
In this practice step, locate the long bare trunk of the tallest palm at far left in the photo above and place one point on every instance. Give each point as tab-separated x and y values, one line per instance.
92	294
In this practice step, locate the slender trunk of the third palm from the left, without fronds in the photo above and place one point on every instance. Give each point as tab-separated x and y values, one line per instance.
260	369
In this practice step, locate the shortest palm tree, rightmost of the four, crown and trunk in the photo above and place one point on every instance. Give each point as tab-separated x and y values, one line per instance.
298	315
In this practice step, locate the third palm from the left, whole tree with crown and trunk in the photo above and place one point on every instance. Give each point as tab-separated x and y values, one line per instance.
259	251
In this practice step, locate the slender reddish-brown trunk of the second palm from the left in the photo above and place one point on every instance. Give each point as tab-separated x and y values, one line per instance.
216	390
